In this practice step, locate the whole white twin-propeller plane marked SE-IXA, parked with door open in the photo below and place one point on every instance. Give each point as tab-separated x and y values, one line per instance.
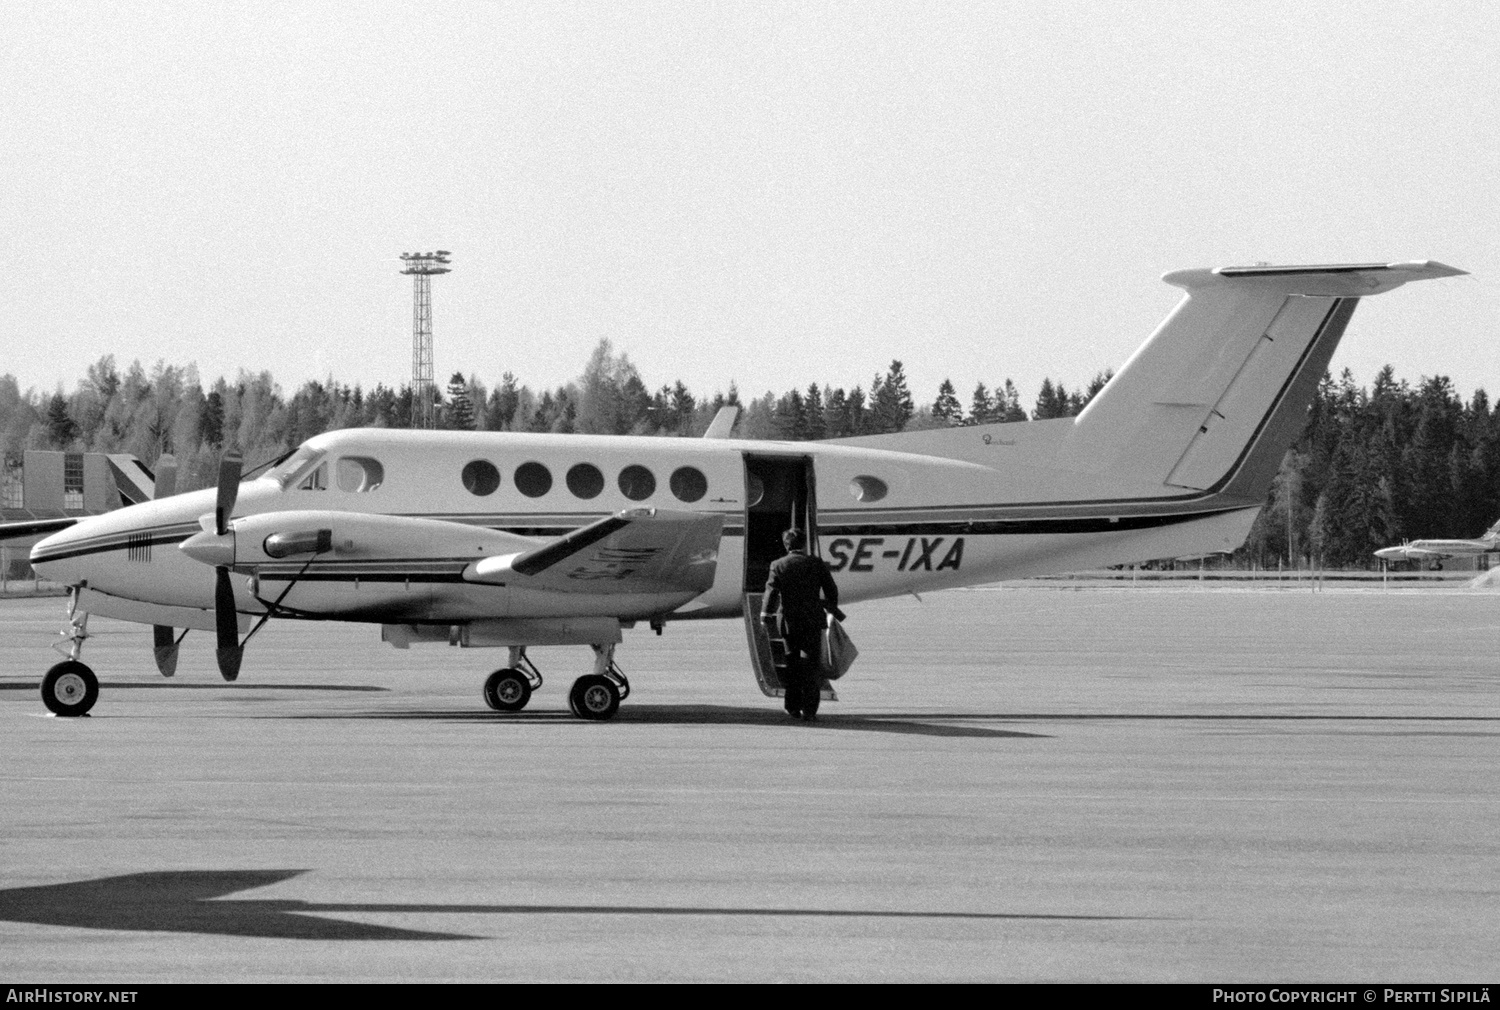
521	540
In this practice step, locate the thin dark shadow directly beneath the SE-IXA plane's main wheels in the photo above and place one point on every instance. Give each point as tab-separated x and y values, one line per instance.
902	724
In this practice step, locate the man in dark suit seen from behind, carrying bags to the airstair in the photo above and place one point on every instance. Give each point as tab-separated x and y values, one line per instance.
794	589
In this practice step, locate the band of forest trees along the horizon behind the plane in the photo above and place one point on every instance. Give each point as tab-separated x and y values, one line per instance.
1373	467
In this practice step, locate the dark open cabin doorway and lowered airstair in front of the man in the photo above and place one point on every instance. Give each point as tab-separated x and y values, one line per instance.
779	496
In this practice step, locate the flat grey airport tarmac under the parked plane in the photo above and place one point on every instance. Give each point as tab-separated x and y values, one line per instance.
1019	784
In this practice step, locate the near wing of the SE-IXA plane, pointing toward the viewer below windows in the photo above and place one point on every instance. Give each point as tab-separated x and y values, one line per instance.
635	552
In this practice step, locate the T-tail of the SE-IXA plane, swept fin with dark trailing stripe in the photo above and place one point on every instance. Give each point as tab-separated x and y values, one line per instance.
1216	395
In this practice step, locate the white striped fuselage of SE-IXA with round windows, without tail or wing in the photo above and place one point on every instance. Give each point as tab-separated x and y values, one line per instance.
887	523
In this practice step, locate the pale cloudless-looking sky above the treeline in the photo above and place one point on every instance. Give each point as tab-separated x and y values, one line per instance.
764	194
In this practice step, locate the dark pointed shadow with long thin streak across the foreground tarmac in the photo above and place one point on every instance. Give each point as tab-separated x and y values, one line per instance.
197	903
